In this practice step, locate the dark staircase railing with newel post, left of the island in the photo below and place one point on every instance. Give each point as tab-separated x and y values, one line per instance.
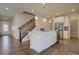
25	28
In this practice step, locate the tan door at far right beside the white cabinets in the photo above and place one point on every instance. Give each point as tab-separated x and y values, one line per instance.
74	28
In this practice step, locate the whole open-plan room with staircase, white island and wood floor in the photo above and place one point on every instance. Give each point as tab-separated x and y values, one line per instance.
39	29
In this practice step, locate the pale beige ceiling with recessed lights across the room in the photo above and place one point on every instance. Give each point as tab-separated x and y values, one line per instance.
49	9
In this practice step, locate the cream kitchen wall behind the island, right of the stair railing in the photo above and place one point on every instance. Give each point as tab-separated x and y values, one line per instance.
41	24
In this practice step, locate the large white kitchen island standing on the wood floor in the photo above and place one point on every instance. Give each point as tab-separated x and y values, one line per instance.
40	40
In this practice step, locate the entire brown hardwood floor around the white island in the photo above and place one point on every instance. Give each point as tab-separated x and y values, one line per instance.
10	46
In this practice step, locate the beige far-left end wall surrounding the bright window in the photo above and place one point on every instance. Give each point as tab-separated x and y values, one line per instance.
5	27
